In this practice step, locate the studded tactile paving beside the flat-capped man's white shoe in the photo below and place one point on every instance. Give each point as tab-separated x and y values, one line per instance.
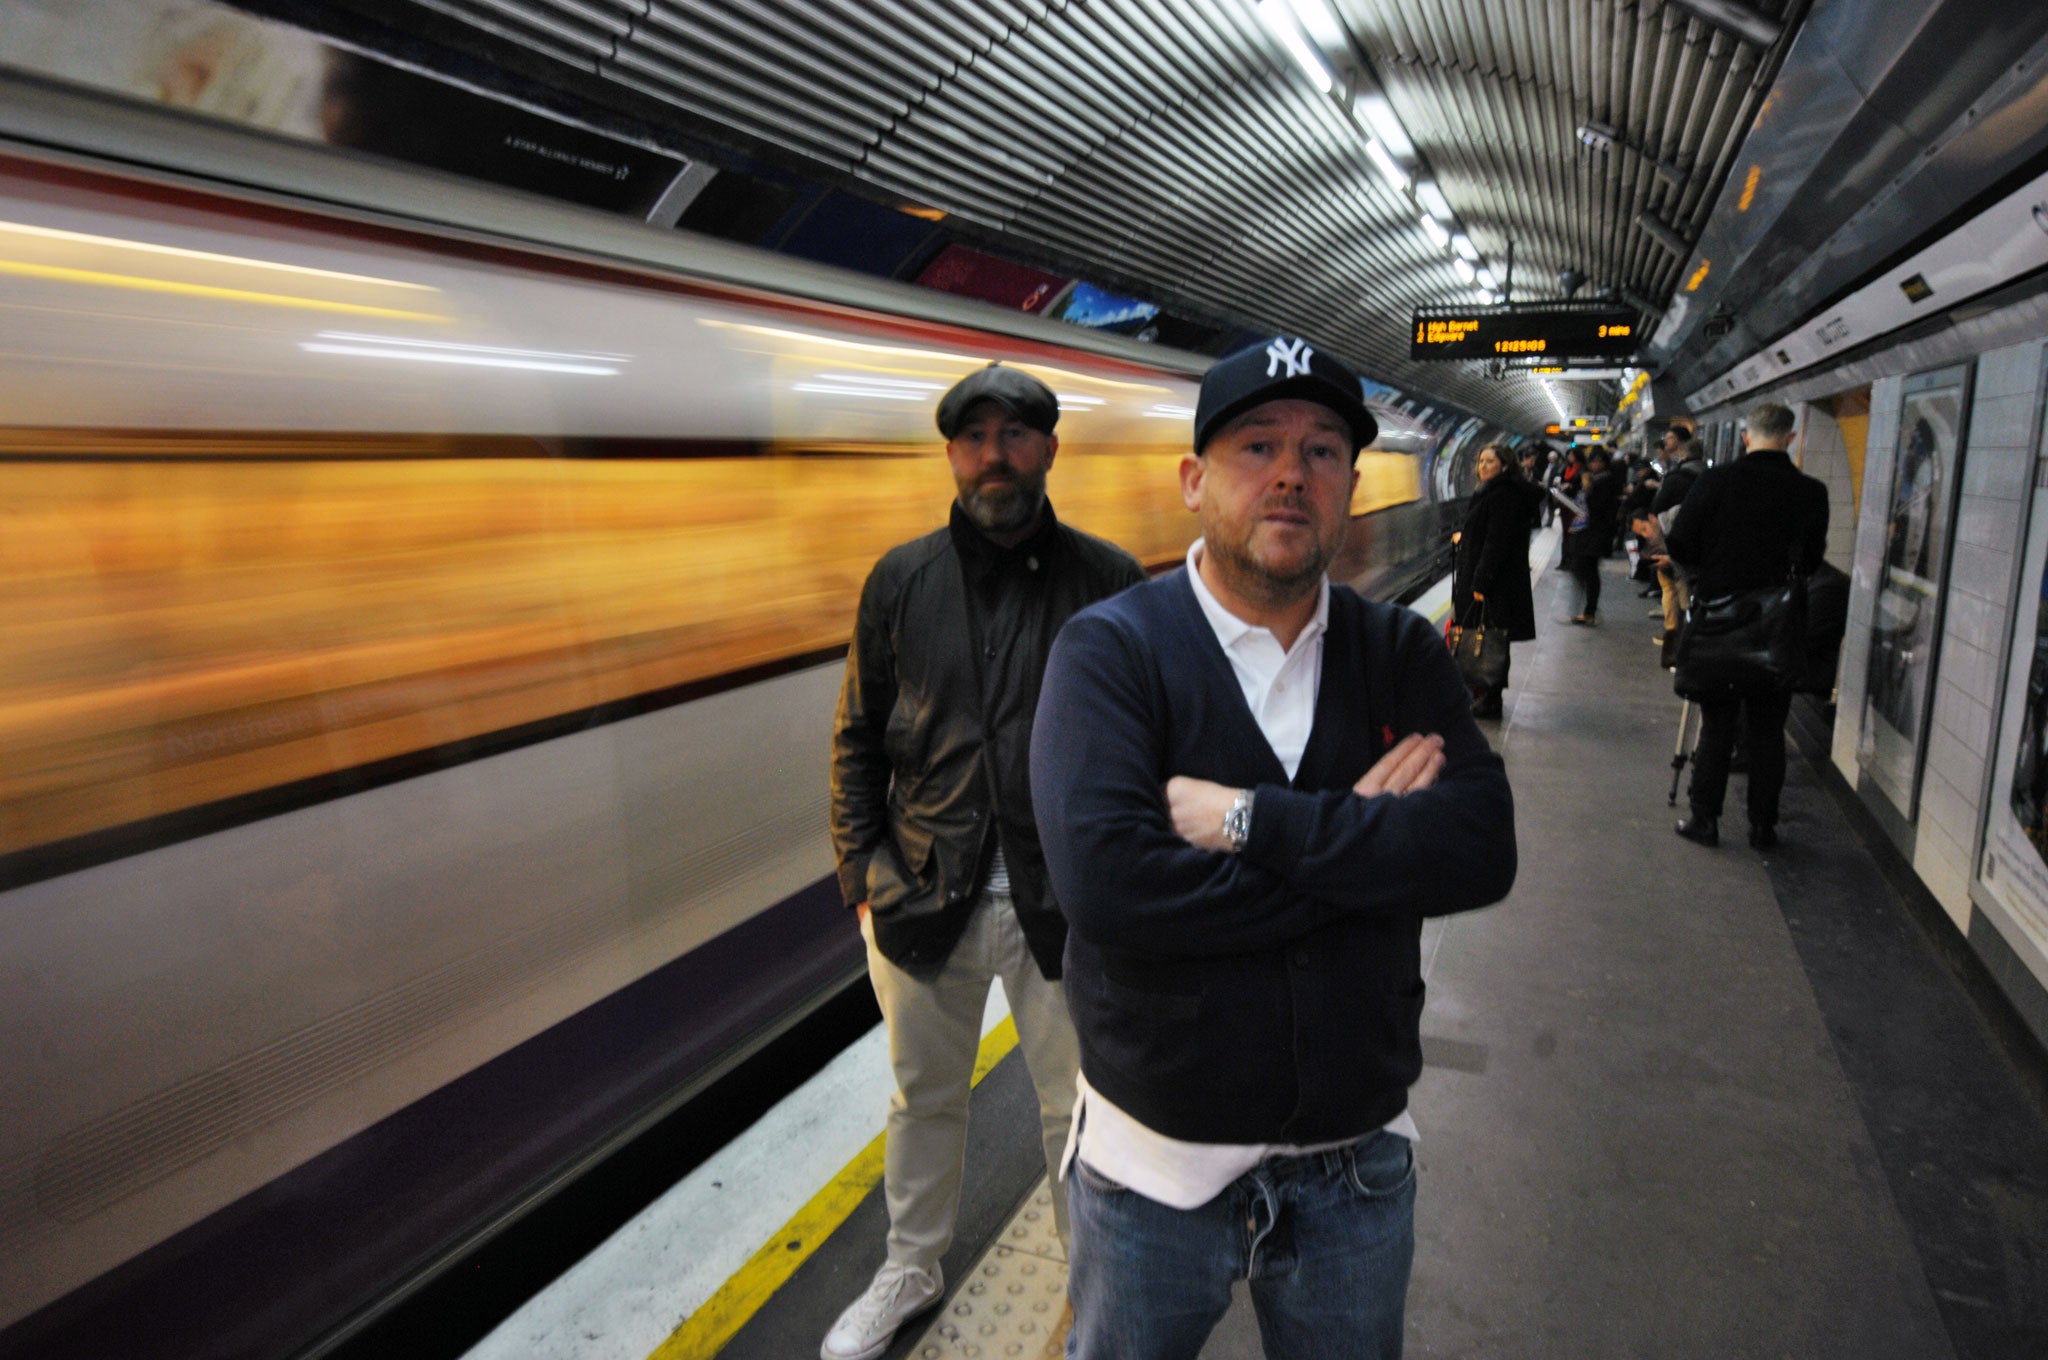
1015	1306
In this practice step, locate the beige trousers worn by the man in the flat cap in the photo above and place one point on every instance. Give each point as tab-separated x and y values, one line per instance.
935	1033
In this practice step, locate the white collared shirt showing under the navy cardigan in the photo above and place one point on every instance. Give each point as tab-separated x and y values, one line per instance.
1281	687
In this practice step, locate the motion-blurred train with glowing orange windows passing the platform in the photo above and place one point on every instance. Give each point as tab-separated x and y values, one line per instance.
417	665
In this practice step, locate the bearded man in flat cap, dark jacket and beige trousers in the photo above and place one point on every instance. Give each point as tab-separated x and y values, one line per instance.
931	814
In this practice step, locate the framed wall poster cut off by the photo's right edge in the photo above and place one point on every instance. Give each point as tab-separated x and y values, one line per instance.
2012	867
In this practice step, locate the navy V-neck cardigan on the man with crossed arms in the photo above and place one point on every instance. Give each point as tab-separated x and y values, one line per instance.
1271	996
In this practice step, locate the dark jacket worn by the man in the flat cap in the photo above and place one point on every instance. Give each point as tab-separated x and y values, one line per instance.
931	753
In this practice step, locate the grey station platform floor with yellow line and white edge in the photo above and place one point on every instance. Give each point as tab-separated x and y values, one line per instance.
1676	1103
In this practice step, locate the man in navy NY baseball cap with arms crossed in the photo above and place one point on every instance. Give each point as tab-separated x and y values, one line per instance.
1252	788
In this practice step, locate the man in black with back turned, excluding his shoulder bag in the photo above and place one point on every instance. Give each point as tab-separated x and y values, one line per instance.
1746	527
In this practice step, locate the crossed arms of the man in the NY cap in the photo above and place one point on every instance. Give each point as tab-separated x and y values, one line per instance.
1138	861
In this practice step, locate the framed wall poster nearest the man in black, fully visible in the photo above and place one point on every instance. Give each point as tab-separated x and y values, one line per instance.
1906	630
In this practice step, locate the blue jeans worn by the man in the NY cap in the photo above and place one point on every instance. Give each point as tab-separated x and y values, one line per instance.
1326	1244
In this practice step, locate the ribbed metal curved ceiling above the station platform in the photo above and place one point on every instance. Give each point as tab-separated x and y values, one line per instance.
1175	146
